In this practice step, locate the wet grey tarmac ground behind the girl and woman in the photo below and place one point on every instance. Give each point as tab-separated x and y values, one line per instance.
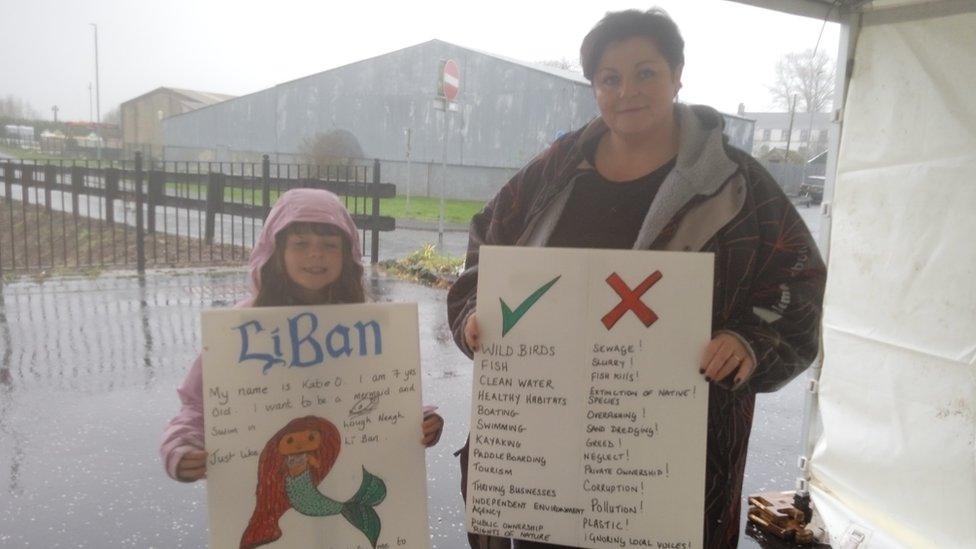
88	371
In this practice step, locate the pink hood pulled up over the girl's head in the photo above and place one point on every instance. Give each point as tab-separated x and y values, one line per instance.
310	205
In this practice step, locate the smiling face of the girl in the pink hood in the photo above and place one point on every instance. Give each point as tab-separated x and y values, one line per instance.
313	262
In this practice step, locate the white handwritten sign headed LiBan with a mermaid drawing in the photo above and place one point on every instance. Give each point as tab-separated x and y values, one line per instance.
313	427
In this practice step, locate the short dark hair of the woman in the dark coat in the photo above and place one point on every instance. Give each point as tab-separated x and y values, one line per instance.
654	24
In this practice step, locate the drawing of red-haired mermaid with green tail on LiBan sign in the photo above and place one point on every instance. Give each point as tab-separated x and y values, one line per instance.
290	468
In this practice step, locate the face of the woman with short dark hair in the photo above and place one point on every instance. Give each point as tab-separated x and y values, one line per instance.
635	87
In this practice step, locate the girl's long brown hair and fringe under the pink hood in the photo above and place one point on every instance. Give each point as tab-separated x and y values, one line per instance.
278	289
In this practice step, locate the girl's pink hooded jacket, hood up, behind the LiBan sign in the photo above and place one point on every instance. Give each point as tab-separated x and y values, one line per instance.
185	431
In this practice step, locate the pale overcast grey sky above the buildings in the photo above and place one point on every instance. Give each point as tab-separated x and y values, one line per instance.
242	46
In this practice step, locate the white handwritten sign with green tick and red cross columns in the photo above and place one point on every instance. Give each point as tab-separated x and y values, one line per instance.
588	412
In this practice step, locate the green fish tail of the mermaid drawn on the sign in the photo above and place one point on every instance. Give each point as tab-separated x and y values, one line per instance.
358	510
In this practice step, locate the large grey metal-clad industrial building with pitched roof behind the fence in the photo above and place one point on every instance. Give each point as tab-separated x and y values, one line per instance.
386	107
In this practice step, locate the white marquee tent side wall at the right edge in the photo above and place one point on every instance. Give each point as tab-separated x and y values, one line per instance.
892	449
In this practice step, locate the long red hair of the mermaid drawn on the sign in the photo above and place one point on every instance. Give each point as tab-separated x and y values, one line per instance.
272	502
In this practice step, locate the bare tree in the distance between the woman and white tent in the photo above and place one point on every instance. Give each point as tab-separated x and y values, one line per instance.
807	75
